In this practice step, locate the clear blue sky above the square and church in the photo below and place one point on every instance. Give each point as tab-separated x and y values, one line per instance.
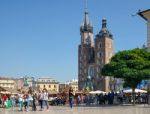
40	38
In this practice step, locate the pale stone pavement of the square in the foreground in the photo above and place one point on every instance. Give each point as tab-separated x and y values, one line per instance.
85	110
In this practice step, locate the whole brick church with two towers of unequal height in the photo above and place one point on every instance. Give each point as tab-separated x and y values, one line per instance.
93	53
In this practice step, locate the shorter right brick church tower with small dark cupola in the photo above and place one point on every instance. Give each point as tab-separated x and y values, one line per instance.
103	54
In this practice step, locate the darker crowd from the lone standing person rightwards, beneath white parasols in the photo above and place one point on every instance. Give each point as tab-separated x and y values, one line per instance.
110	98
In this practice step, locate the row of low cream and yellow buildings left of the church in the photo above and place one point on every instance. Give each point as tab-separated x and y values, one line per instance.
40	83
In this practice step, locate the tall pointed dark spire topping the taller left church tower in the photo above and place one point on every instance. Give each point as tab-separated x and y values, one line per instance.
86	24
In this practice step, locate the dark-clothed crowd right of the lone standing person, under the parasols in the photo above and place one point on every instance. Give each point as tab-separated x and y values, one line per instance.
111	98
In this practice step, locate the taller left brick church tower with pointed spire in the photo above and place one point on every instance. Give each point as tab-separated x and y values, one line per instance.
85	50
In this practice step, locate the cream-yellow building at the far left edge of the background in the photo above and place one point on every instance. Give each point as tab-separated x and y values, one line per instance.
7	82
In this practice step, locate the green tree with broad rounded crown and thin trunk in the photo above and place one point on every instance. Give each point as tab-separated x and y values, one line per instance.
131	65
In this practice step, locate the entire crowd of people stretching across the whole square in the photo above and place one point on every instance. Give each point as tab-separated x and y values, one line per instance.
29	100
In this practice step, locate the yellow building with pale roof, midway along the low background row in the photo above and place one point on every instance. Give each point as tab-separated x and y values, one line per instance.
48	83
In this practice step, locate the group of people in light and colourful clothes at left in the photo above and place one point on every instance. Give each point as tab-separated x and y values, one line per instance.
25	100
